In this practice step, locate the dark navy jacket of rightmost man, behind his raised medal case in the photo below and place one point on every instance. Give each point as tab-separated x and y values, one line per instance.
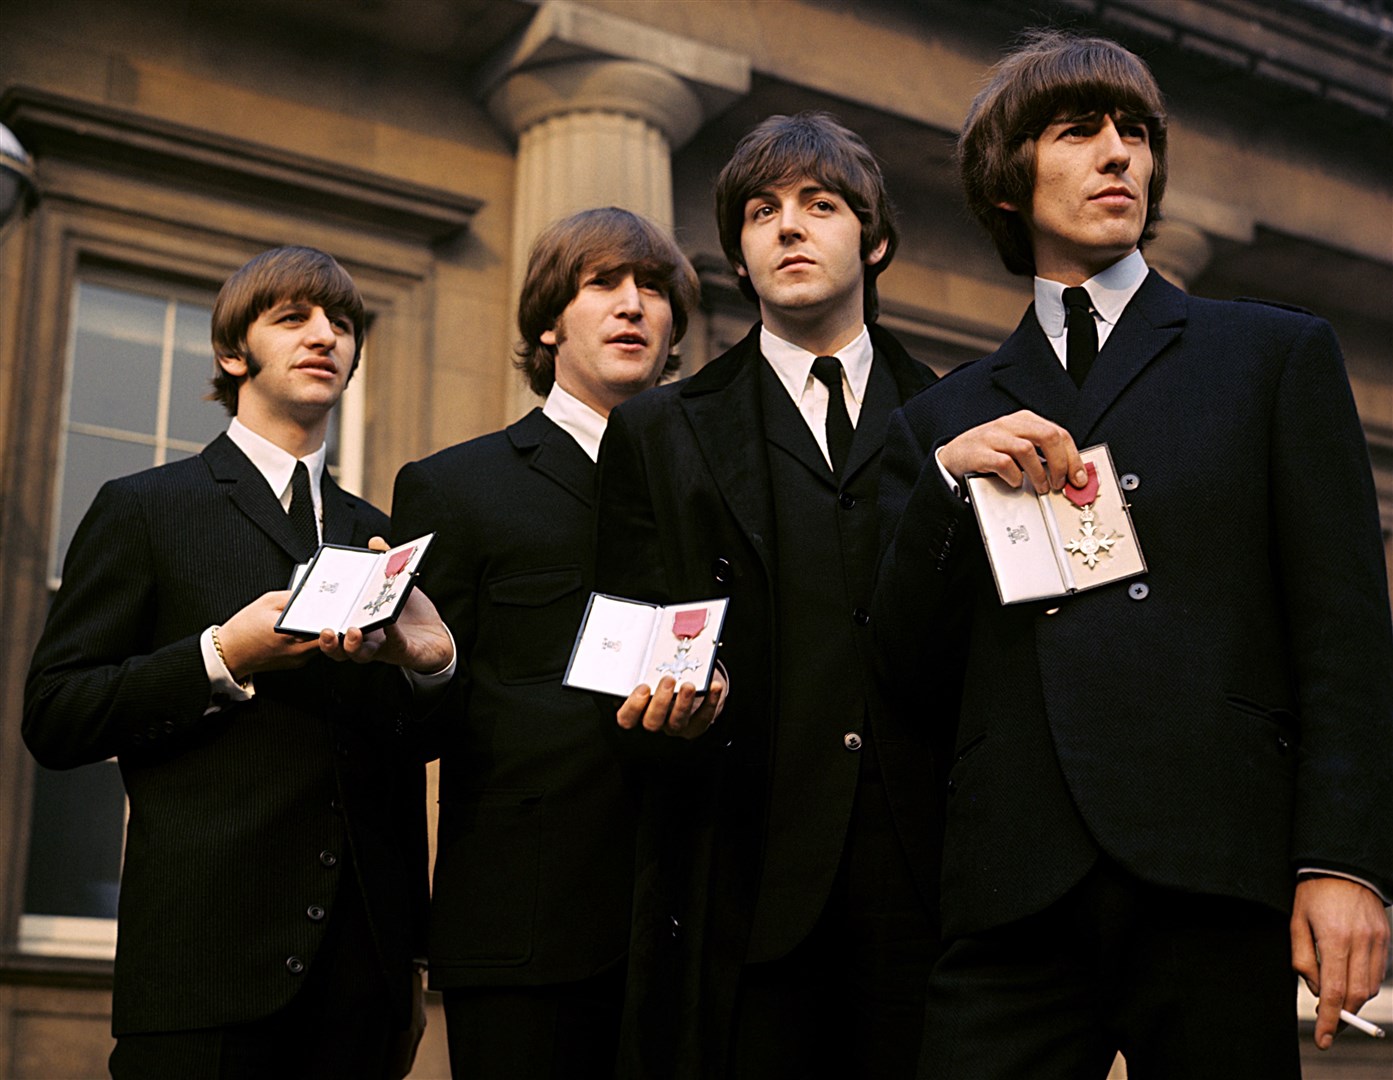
1214	725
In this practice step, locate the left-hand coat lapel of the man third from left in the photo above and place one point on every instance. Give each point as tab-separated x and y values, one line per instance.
722	403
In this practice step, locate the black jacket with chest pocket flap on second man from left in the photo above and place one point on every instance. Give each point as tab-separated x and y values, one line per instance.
534	865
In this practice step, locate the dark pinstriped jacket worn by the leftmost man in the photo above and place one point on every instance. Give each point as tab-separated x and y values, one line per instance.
240	821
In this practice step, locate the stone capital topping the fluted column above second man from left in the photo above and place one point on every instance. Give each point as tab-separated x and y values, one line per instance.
576	59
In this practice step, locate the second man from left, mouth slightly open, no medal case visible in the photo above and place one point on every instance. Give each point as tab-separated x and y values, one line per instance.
536	858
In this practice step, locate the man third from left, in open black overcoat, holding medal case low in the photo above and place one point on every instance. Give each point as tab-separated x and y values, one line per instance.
779	927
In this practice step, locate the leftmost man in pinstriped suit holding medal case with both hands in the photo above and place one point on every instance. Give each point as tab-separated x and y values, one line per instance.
274	891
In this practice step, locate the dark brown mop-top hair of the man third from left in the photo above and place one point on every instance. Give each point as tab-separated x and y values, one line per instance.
788	148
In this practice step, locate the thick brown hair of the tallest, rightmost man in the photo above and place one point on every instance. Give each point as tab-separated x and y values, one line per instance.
1052	75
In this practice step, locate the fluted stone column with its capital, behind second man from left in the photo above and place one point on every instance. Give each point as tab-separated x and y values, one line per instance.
597	126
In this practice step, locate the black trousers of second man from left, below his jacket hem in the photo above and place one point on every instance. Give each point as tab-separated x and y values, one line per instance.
557	1032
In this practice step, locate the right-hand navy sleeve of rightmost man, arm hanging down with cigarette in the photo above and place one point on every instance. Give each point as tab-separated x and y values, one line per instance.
1330	553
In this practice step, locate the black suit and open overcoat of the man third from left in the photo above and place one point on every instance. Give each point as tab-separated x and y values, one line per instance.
710	488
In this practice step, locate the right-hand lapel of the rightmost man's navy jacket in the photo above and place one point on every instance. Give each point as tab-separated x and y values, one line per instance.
1153	320
